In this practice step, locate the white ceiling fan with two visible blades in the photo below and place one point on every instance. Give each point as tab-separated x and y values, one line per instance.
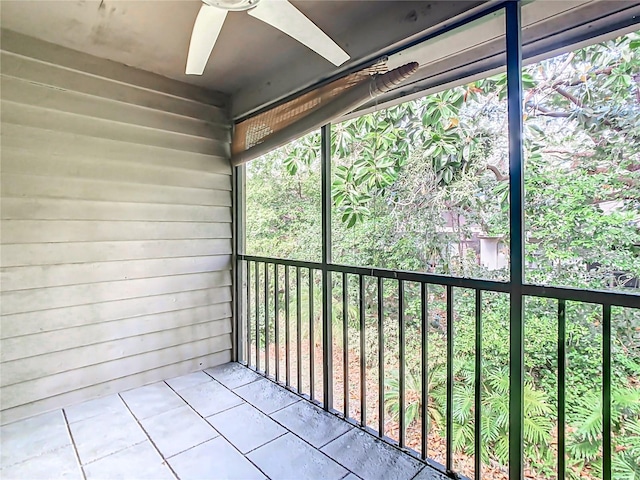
278	13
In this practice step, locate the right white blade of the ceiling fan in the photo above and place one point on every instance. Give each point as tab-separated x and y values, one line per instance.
285	17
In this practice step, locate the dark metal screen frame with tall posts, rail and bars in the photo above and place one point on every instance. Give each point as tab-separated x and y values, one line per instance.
517	289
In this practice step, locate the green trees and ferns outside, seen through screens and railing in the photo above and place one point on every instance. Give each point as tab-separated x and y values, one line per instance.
412	183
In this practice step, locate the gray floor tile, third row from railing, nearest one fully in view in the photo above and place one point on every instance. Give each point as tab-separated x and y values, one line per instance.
178	430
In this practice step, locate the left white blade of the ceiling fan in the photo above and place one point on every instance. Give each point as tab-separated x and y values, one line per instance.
205	33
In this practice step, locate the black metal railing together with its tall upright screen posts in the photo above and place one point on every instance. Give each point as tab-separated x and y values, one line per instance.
258	296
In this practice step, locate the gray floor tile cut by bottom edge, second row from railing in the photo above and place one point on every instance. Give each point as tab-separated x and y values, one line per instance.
288	457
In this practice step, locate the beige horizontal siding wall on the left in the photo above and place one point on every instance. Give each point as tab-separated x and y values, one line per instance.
116	228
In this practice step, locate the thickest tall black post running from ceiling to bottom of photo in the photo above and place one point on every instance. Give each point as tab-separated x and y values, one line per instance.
516	240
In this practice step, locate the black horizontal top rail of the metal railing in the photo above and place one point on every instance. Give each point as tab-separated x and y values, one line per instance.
601	297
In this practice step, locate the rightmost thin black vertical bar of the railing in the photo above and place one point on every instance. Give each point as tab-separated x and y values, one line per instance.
606	392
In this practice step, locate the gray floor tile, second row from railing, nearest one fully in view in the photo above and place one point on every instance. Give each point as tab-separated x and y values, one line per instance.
246	427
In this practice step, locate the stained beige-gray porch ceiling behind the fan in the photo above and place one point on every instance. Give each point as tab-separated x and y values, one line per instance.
252	62
